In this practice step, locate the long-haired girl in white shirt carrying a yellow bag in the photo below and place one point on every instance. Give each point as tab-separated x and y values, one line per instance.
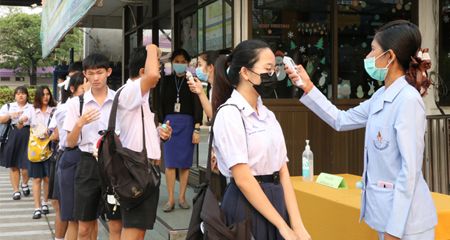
39	117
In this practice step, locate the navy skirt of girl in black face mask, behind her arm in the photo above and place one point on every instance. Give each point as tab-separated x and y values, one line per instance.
235	207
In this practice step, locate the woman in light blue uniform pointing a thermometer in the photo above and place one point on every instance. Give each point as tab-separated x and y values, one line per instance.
396	201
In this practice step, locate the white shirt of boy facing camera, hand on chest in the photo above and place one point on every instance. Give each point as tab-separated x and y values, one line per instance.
89	136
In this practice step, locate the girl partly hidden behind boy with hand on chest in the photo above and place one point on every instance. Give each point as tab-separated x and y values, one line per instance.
66	166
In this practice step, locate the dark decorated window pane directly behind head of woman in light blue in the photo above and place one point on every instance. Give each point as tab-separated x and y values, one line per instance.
357	23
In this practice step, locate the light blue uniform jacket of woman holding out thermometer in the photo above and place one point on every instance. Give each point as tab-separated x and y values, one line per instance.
395	197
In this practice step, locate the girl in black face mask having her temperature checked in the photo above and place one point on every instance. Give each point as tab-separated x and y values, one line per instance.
250	148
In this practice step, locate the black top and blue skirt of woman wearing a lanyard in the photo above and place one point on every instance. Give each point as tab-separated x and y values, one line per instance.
183	109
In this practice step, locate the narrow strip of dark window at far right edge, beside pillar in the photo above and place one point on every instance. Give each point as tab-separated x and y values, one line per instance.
444	54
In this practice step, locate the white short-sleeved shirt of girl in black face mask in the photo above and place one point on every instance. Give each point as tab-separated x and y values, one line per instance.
261	145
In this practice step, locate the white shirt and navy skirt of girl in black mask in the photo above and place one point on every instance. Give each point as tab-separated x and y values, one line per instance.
242	136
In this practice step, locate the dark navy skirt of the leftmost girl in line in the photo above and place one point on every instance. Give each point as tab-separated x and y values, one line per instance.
15	151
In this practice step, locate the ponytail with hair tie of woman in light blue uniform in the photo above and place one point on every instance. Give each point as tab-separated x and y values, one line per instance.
417	75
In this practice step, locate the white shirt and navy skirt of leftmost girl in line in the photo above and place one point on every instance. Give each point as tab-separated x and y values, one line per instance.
14	152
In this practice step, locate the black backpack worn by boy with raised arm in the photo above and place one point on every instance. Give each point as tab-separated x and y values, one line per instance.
129	175
